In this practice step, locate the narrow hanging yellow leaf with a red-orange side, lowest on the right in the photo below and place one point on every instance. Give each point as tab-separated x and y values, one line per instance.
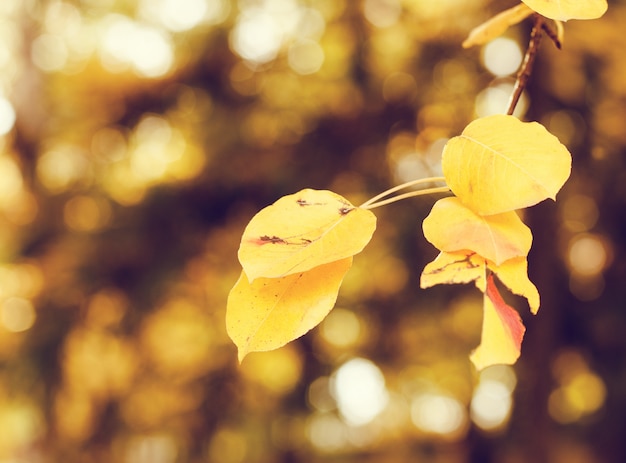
502	331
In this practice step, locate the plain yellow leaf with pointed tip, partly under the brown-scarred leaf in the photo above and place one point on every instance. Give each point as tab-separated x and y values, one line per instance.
270	312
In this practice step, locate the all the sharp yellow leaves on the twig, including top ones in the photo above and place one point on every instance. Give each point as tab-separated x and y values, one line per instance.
296	252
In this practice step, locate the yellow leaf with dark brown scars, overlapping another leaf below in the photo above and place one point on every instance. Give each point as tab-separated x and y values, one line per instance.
302	231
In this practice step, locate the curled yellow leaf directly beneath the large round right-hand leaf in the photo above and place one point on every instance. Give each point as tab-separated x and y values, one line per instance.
452	227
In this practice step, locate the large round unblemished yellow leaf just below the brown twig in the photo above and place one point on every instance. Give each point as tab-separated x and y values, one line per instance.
499	164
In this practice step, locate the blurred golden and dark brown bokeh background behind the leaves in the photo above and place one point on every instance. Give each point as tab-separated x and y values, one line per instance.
137	139
